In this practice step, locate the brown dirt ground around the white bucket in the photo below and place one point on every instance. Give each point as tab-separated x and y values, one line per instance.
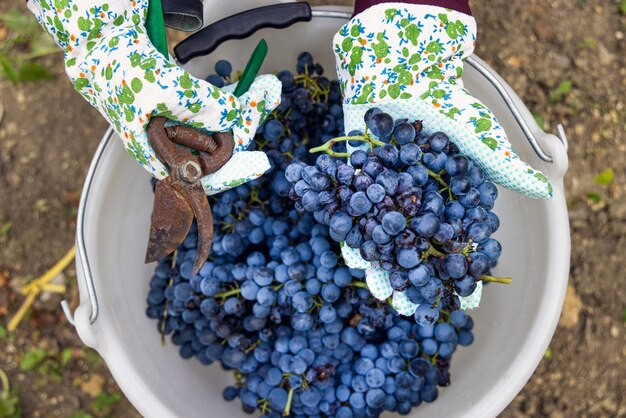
48	136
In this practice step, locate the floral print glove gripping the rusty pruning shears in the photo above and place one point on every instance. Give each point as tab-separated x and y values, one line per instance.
115	67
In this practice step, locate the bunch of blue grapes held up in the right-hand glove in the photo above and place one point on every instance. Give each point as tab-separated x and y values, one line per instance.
410	203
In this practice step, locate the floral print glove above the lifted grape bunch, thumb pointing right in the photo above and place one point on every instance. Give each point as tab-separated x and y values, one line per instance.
407	60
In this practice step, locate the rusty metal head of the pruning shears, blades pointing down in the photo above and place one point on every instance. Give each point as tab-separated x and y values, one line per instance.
180	197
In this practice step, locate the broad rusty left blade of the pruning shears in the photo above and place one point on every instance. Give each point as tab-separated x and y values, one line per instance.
172	216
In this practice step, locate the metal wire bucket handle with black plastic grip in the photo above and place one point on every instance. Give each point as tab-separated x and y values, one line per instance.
274	16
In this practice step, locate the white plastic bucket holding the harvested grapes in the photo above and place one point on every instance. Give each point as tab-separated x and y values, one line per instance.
513	325
